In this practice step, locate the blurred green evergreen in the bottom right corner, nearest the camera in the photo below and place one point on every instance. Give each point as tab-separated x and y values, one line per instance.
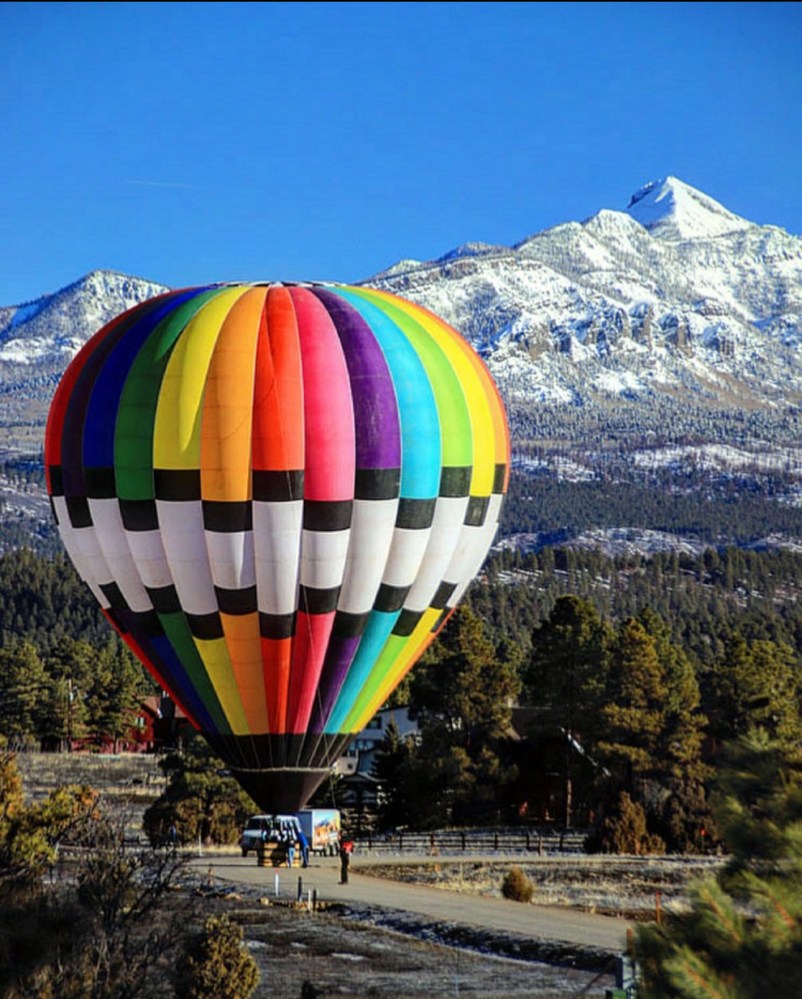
742	938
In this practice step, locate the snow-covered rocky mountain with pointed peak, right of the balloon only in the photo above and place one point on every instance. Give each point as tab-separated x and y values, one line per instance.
674	298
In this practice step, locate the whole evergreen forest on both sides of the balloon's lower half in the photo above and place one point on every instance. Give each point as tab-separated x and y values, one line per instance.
649	662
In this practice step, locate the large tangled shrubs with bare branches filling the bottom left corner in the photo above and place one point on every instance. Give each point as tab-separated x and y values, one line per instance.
107	922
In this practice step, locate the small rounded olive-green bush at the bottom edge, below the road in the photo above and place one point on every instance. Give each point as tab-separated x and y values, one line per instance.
217	963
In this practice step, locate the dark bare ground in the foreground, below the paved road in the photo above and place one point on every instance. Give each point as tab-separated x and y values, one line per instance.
344	949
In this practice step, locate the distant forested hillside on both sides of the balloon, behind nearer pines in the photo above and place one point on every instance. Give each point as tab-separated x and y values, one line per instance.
702	598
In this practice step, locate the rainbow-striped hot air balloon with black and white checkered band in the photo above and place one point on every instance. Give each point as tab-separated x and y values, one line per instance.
278	493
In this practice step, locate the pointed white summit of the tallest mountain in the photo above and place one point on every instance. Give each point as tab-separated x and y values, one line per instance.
673	210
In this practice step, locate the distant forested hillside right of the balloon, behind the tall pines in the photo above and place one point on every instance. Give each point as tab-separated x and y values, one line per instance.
703	599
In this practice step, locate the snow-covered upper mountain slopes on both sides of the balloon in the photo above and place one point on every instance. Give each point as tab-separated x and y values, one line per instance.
673	302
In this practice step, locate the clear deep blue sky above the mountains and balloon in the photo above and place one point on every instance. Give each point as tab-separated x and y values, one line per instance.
194	142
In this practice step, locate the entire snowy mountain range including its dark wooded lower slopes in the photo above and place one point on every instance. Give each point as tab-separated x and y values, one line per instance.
656	348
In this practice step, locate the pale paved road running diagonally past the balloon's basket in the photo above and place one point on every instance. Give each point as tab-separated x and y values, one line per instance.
498	914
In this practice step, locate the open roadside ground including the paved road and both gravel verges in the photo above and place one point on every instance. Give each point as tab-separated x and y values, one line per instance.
373	944
